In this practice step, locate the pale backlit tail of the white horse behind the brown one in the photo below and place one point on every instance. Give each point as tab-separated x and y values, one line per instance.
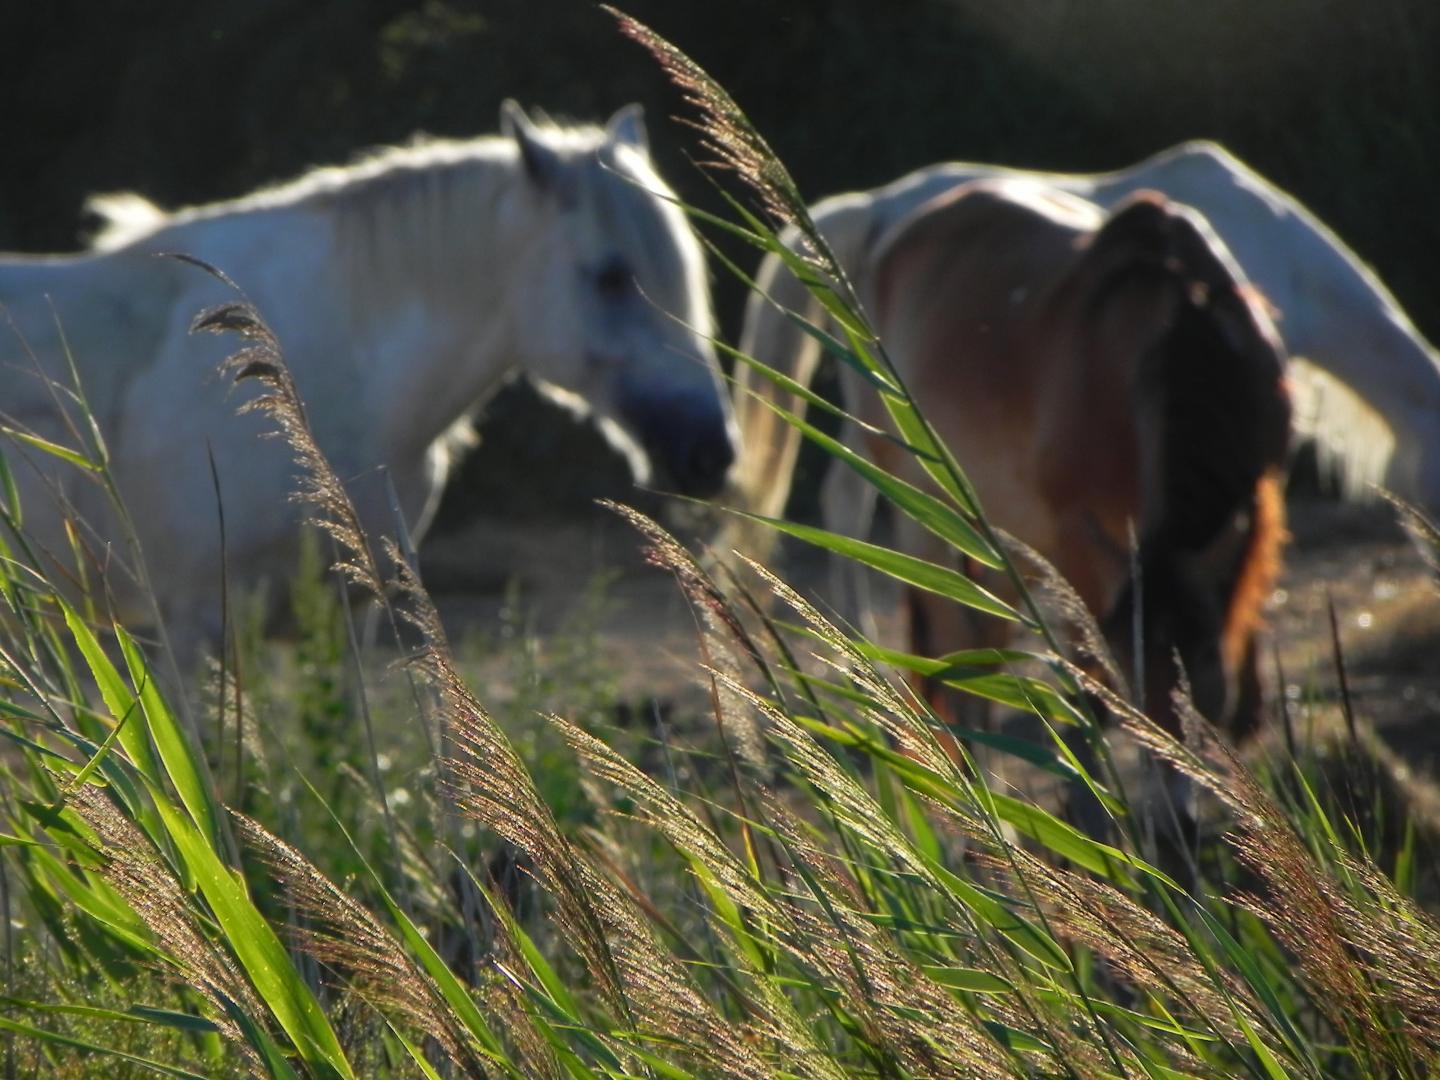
770	446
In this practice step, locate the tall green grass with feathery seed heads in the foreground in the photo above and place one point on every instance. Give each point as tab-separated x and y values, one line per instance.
829	888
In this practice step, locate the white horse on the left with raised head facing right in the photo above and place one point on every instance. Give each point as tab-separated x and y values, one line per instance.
402	290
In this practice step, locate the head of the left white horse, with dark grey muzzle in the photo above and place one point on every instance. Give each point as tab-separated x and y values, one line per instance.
613	297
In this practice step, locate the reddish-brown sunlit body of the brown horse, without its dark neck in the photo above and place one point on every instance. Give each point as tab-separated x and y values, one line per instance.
967	294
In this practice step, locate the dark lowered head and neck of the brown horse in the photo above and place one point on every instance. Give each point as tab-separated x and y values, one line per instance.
1213	418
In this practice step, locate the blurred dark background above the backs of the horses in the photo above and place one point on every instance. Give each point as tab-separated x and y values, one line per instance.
189	102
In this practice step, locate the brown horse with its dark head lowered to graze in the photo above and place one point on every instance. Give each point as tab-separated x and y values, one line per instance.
1117	397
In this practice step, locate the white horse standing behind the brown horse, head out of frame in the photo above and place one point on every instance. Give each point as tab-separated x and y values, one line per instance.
1333	312
